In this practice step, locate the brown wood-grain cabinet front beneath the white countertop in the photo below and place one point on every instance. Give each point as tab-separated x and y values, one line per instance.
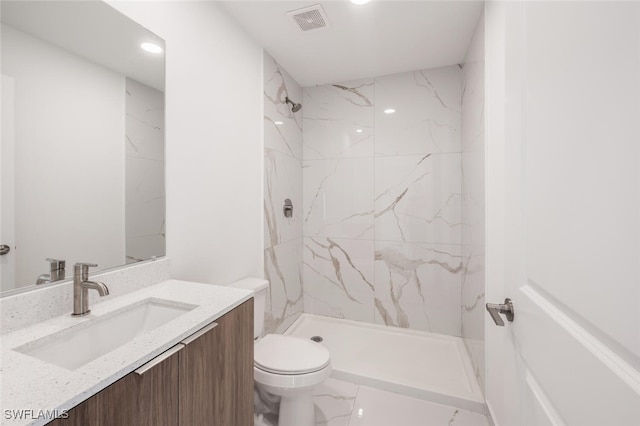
207	382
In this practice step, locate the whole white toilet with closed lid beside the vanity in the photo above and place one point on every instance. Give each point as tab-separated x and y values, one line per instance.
286	366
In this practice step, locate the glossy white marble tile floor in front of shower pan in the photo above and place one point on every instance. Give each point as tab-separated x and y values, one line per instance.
340	403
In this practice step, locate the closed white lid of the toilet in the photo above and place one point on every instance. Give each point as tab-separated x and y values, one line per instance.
289	355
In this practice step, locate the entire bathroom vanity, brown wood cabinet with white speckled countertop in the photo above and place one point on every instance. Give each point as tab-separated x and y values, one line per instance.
195	369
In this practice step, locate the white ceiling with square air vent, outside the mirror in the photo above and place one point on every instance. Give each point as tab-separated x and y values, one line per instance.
379	38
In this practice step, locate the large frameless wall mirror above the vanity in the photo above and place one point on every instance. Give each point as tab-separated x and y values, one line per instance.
82	148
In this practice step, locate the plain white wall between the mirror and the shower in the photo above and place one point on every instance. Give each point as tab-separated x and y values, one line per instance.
213	141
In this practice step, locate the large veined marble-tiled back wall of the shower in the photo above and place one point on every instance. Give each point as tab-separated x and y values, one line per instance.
382	200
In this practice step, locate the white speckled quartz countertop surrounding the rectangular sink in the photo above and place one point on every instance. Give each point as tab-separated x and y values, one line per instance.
35	386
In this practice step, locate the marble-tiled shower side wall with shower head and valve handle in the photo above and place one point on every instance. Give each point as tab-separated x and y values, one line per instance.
283	179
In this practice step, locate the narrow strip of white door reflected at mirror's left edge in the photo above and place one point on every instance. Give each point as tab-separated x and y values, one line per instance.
7	184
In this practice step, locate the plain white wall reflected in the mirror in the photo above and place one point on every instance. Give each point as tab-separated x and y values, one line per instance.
69	124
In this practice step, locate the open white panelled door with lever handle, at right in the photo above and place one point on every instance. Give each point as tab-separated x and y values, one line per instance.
563	212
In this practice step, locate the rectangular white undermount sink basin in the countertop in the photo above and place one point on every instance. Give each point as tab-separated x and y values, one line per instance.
74	347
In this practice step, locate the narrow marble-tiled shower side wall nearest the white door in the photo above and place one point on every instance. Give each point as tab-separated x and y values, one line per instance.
473	237
